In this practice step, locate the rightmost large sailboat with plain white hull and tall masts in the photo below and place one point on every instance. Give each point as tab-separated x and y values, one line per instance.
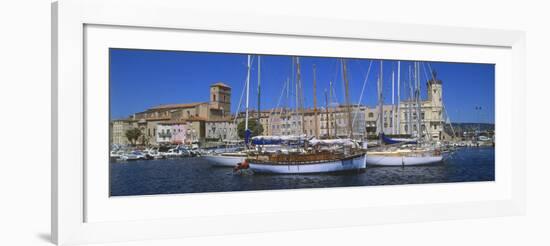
402	151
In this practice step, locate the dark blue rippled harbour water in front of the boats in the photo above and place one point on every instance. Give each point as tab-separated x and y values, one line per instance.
193	175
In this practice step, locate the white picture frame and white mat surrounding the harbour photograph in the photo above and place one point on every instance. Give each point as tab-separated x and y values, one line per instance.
73	206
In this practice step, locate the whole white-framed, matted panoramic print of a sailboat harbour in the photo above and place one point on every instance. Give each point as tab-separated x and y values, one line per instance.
168	124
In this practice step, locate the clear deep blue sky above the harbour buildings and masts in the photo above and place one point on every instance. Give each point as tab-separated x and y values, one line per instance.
140	79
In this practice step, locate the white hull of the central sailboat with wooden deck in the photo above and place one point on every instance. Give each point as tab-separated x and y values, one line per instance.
355	163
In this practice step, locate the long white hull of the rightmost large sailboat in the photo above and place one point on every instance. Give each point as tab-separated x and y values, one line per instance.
384	160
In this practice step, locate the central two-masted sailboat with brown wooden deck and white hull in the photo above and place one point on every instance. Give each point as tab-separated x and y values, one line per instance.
312	155
